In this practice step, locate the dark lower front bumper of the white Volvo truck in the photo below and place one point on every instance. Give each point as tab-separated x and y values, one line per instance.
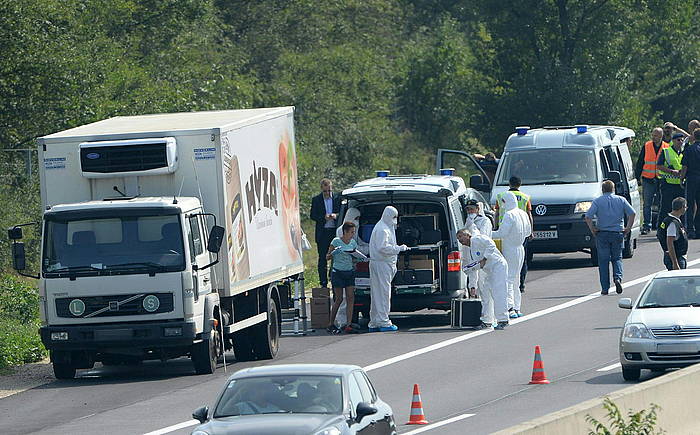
135	336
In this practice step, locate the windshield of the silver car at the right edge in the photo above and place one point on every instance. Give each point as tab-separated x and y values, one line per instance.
671	292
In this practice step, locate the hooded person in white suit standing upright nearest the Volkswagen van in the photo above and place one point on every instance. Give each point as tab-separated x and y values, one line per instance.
513	231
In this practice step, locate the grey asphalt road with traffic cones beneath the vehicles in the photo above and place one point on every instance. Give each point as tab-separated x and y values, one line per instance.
477	379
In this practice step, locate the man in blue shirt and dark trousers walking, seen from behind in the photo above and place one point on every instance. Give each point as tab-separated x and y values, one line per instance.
610	209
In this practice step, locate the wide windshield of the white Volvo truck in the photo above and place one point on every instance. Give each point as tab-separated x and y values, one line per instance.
113	245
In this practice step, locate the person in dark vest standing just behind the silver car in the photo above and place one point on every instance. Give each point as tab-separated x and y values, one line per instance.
673	238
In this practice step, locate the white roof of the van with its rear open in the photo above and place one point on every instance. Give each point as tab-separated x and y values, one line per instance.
410	183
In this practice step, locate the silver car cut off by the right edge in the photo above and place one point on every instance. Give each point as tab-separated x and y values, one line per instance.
663	329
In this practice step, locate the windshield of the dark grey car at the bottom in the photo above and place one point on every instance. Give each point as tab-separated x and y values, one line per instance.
306	394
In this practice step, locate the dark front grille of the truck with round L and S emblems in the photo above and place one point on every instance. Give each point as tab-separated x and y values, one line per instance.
113	305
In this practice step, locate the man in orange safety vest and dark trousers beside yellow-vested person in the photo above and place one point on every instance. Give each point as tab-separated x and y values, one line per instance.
647	175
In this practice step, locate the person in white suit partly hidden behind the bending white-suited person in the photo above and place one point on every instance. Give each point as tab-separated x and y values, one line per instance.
477	279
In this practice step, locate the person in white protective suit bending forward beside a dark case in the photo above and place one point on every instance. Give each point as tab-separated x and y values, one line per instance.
488	259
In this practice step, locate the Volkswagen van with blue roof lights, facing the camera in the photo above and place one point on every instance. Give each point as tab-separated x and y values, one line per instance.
562	168
